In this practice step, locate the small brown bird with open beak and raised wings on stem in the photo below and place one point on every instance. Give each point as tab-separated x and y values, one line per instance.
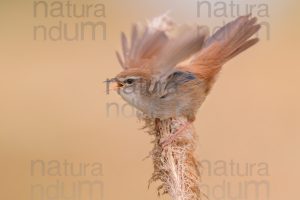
169	69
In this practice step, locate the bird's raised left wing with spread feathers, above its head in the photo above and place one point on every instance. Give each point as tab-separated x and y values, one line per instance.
146	43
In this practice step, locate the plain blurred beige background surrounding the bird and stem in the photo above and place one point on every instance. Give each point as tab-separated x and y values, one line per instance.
53	107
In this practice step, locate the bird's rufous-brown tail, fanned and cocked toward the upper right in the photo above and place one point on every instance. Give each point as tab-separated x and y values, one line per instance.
226	43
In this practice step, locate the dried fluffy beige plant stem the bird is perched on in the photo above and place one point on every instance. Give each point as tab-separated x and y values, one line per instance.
175	165
